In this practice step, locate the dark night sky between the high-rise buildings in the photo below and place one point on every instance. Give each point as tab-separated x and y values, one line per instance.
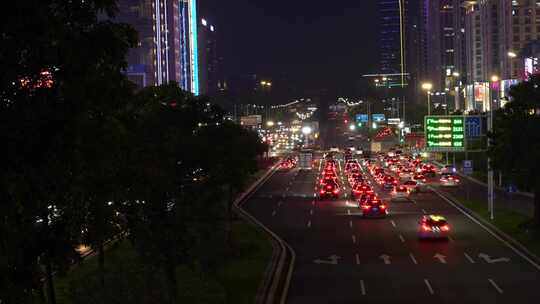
309	45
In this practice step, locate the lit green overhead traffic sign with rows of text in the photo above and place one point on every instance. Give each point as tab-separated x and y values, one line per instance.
445	133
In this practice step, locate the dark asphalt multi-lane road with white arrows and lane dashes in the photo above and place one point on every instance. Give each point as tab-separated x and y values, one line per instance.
344	258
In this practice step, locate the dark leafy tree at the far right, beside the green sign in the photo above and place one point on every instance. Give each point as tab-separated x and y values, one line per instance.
516	138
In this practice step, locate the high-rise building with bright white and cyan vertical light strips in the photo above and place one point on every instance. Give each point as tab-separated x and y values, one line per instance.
168	48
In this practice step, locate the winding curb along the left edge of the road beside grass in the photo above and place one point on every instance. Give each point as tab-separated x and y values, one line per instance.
275	285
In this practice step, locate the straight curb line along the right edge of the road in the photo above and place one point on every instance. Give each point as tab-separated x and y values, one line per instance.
509	241
